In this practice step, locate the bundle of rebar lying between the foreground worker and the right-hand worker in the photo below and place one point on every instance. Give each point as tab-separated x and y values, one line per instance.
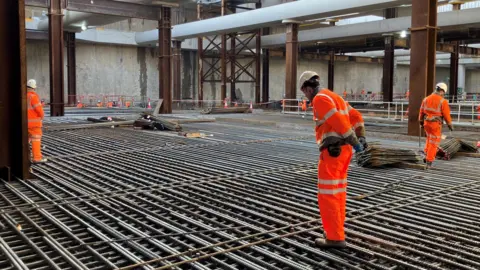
380	156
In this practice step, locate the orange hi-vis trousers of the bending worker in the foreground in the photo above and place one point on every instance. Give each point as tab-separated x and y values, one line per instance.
332	191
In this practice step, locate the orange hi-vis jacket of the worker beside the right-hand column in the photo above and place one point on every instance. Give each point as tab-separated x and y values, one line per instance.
434	109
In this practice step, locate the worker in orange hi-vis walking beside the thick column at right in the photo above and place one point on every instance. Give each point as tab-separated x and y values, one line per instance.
433	111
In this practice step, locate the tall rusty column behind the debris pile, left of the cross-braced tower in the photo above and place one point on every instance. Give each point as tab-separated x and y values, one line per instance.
165	67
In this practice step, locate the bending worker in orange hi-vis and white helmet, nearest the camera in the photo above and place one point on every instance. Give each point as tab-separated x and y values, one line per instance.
335	137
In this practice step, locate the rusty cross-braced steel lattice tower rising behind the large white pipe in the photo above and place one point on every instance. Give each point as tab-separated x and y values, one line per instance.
214	59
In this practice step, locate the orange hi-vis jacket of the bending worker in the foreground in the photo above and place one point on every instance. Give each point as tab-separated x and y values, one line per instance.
332	119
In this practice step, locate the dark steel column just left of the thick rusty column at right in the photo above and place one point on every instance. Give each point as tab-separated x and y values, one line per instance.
388	65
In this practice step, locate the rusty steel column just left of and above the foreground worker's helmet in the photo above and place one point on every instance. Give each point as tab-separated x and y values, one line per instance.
291	58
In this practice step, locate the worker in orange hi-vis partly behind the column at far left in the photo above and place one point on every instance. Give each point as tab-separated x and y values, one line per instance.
35	117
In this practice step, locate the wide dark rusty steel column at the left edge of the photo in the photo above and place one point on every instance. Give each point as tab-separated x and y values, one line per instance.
14	151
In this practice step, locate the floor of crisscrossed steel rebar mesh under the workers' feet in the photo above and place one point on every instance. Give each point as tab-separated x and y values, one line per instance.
119	198
